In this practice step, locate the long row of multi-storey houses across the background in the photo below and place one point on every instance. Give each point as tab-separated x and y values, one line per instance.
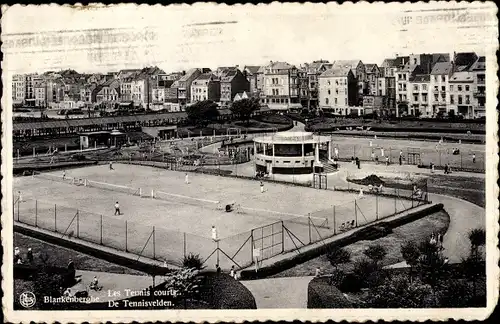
419	85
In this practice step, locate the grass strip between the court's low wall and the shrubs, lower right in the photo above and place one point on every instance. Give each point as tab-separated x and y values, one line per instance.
417	230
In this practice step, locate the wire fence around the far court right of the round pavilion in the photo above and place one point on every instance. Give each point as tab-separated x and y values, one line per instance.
453	155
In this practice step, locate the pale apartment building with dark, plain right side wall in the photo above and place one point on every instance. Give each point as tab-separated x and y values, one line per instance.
338	90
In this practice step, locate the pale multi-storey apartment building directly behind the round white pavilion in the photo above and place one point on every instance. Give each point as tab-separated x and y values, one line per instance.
281	86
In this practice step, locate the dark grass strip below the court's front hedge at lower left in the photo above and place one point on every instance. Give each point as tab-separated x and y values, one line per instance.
59	256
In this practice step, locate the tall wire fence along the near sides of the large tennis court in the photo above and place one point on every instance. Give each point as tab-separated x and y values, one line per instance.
288	233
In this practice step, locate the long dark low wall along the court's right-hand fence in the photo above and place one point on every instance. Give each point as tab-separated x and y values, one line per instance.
320	248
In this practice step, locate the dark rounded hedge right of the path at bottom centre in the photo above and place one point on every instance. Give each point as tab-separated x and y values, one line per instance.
321	294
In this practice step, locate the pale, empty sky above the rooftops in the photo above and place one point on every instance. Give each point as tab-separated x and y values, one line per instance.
179	37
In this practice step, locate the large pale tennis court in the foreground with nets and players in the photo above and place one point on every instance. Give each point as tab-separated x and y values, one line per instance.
178	221
